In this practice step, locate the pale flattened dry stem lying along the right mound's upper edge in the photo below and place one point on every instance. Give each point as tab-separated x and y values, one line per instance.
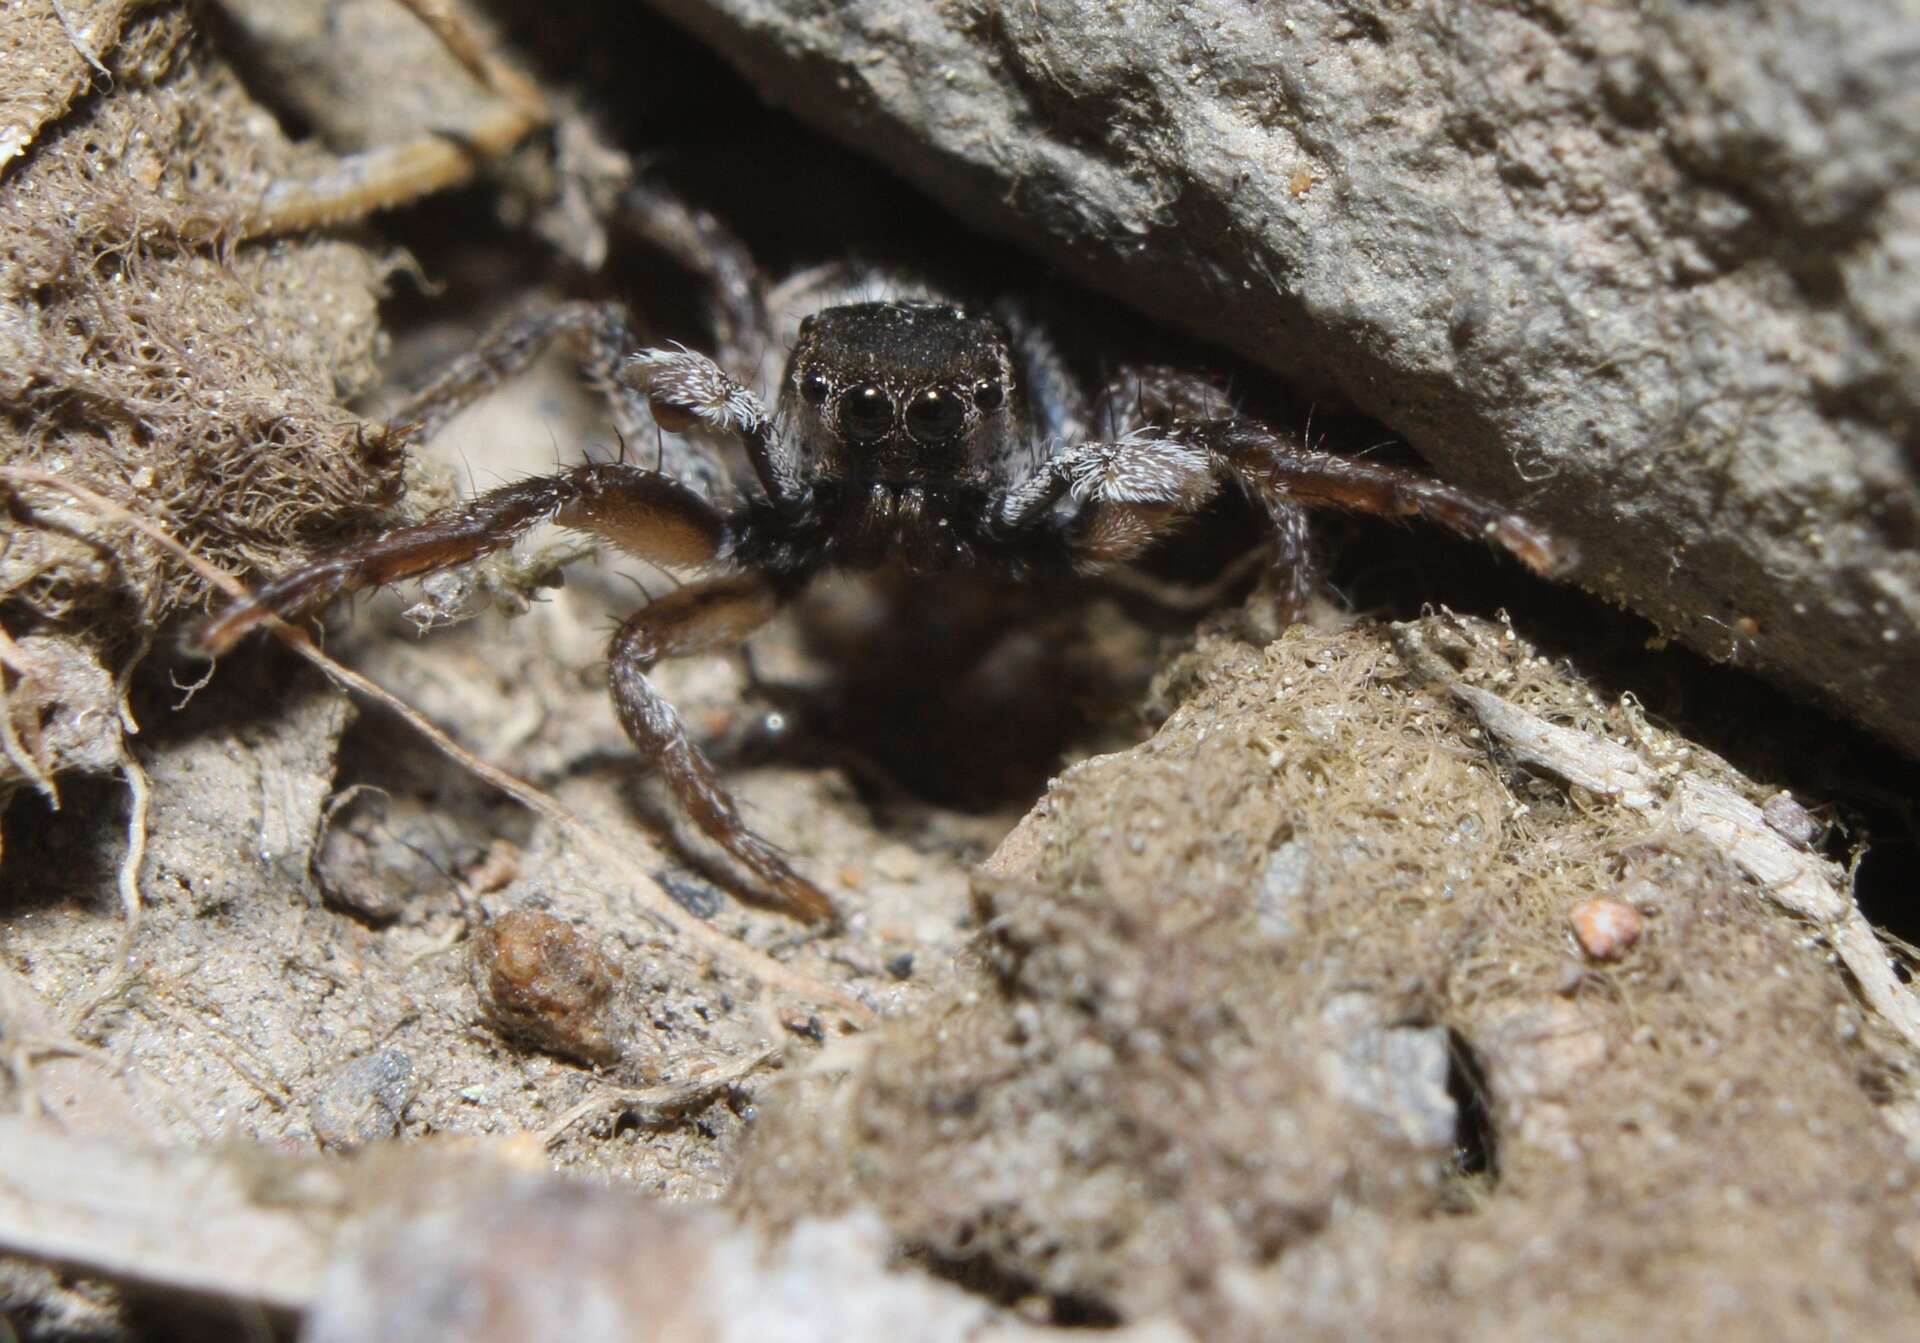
1800	883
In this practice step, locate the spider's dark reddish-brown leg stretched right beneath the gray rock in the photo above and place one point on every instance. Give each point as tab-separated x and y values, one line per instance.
1282	468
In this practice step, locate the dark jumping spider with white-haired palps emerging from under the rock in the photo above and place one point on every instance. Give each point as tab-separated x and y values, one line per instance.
907	431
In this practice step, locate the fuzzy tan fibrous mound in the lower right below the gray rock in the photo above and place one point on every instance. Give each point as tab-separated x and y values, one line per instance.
1164	1088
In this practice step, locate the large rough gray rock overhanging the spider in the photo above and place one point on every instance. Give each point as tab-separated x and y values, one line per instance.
1650	270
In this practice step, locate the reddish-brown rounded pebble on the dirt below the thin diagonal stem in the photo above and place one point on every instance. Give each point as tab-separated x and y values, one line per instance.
548	987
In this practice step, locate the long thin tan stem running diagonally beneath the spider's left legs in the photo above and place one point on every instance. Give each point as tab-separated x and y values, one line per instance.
654	900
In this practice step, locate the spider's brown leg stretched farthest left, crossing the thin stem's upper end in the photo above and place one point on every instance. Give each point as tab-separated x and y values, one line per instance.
644	512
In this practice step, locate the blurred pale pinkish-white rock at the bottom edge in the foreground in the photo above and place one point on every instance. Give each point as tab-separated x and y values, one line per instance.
539	1258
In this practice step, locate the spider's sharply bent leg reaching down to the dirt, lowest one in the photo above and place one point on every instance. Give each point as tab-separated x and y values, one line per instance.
700	618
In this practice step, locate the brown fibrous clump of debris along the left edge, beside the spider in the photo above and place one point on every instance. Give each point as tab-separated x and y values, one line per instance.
195	379
